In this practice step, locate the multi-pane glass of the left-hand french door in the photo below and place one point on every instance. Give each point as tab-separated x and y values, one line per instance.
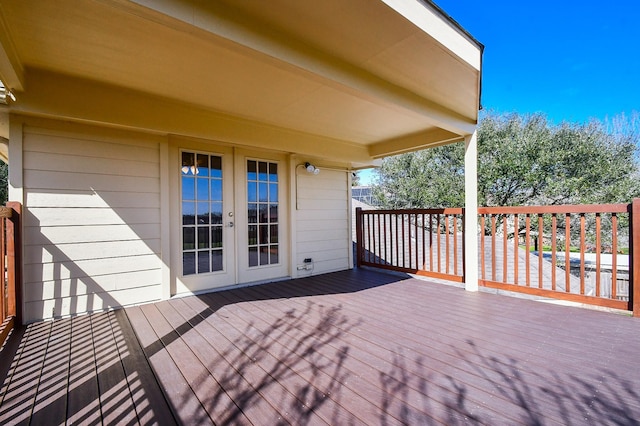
201	189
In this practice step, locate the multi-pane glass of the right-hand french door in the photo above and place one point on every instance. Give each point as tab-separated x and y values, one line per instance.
262	208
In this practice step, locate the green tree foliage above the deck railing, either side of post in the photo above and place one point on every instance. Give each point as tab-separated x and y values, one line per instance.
522	160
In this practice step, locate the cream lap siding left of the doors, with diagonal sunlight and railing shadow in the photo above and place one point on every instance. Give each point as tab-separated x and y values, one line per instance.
92	222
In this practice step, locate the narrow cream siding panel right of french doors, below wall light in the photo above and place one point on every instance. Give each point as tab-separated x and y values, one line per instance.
322	222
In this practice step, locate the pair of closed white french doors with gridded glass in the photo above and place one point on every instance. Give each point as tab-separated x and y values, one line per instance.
232	219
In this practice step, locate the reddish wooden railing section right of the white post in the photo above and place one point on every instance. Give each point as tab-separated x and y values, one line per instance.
578	253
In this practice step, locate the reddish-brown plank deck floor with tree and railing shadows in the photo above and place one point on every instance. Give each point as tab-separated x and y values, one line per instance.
355	347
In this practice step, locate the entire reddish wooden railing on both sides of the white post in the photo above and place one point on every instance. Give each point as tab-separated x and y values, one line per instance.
580	253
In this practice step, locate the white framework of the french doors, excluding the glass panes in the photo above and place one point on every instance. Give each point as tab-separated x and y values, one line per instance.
235	238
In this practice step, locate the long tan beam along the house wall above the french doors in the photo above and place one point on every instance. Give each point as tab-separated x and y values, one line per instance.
64	97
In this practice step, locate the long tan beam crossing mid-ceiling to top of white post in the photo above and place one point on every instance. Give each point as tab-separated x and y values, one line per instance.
219	21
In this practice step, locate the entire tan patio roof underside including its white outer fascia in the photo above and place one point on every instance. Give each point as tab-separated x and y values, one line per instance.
352	81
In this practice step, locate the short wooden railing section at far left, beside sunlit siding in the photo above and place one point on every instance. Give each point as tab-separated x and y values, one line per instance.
10	249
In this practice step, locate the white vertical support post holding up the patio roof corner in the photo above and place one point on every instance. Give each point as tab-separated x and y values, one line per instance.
471	212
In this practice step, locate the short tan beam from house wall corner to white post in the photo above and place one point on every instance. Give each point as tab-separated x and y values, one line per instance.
414	142
